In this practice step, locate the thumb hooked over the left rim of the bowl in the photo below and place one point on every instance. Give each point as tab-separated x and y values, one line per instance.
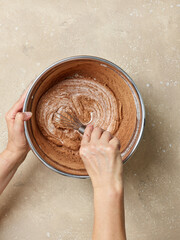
19	121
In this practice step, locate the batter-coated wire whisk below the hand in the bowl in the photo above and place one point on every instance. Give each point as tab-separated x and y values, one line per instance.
72	122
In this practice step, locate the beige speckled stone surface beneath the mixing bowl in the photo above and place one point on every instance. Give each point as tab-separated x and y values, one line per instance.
142	37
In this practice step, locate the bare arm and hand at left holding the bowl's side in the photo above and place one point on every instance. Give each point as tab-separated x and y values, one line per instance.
17	147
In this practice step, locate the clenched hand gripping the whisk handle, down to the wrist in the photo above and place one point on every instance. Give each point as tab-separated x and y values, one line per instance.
100	152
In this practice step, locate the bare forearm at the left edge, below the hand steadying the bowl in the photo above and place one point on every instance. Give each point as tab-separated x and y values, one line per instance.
9	162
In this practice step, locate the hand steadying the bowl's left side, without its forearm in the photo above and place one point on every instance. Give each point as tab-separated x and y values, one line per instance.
17	143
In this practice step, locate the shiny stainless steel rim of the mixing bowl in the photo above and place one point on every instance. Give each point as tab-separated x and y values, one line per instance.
78	58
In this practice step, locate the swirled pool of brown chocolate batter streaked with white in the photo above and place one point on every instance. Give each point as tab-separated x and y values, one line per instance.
89	100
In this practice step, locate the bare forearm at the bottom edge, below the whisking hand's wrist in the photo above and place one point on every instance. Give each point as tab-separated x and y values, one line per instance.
109	220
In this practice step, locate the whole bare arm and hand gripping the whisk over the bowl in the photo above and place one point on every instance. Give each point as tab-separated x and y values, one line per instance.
100	153
